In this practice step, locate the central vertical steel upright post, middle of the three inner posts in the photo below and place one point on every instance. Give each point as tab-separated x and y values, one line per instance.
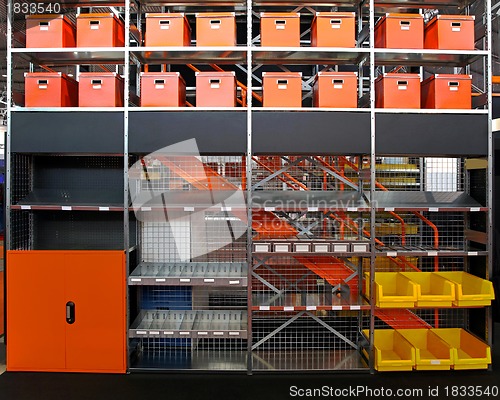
249	186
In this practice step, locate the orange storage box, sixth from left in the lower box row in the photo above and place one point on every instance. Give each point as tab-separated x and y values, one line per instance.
336	90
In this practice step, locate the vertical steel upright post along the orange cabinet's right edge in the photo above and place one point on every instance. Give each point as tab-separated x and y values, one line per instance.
126	222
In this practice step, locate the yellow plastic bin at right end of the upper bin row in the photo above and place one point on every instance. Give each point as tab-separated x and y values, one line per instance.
470	290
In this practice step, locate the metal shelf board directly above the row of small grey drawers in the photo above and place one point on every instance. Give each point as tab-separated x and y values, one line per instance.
311	200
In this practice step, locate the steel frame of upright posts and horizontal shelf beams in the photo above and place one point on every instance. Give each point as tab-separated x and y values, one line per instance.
248	56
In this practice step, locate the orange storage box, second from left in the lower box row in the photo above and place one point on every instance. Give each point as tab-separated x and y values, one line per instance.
100	89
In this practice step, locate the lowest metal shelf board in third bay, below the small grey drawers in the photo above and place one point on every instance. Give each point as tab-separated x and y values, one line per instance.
312	302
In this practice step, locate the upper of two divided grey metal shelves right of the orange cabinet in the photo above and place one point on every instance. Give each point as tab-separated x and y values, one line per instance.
190	274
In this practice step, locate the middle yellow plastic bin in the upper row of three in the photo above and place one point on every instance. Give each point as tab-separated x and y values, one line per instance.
432	290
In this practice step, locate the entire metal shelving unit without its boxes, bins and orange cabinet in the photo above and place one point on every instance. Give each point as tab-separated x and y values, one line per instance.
316	215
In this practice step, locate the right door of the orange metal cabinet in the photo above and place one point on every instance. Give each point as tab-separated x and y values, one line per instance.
95	283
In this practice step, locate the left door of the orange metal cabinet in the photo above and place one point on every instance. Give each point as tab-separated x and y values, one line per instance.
36	314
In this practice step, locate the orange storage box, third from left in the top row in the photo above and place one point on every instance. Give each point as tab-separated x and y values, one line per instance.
170	29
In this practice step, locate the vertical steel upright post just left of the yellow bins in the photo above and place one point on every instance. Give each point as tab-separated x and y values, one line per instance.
372	184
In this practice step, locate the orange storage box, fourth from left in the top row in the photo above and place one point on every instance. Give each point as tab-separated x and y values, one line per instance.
215	29
